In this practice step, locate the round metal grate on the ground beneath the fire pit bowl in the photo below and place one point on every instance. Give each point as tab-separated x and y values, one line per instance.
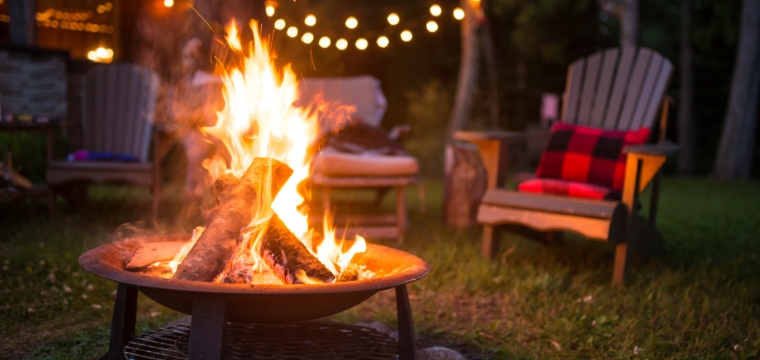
313	340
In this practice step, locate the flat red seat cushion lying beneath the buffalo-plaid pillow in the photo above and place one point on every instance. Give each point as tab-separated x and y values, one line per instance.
568	188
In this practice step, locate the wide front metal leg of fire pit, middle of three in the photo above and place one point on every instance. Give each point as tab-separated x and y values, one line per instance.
209	323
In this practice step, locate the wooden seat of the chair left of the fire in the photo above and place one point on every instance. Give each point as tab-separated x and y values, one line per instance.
59	172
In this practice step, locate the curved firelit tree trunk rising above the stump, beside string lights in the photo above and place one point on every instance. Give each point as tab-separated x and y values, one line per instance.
468	70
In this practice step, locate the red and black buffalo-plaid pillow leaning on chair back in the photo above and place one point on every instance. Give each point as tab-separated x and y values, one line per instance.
588	155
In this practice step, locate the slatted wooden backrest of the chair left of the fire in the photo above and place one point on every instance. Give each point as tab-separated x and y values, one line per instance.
117	109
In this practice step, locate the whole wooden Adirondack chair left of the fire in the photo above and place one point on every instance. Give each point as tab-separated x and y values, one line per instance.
117	115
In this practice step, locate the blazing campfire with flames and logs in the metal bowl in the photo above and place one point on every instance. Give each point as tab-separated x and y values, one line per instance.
258	231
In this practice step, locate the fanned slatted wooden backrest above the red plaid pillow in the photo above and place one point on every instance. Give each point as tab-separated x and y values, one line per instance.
616	89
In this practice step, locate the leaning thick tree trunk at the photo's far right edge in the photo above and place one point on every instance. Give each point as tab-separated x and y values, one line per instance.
734	160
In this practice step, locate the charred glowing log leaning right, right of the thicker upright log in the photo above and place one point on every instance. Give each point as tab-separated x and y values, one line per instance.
286	255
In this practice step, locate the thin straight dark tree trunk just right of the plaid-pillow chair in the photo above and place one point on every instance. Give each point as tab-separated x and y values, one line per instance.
686	103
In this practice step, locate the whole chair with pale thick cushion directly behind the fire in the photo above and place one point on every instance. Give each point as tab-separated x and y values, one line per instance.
338	170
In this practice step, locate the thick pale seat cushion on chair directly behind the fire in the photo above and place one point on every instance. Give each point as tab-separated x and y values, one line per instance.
333	163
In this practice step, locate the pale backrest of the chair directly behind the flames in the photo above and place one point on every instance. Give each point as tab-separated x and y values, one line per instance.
363	92
